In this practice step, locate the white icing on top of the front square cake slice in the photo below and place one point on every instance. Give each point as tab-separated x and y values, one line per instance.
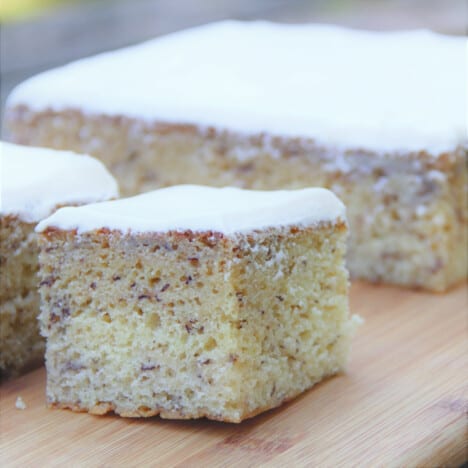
197	208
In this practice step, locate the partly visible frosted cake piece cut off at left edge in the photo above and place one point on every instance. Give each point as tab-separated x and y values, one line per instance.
34	182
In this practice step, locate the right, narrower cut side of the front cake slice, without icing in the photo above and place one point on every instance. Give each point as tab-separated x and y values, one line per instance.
291	286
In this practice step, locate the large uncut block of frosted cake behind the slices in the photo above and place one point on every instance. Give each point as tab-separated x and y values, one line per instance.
377	117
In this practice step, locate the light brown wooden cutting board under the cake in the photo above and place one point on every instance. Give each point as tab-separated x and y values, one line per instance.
403	402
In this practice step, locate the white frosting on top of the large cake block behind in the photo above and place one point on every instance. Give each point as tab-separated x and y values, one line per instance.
385	91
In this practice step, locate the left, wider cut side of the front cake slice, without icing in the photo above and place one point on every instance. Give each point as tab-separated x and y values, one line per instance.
150	331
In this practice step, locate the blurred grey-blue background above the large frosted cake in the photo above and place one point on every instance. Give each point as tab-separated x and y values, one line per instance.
39	34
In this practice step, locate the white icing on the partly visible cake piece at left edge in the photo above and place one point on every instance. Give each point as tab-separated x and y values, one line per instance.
35	180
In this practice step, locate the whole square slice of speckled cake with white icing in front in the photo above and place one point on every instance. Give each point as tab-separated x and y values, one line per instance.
194	302
